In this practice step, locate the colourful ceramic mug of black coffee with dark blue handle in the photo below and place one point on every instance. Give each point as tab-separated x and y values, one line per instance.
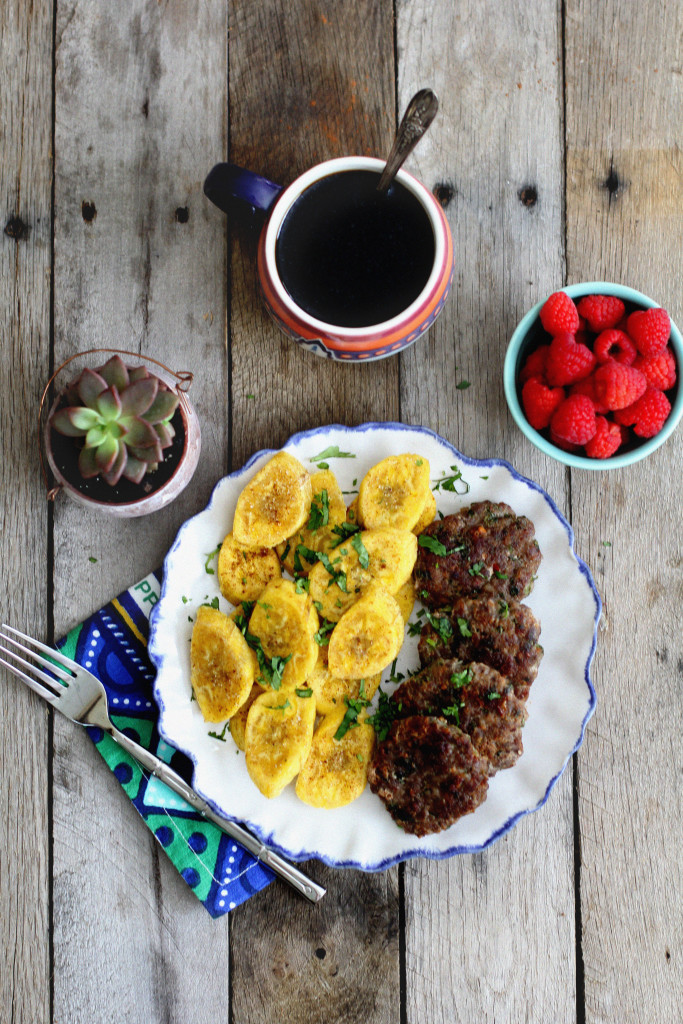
351	315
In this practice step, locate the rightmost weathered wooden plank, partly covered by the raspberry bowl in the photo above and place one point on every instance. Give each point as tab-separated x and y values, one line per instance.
625	221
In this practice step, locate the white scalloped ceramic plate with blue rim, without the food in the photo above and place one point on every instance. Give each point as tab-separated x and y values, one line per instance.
363	835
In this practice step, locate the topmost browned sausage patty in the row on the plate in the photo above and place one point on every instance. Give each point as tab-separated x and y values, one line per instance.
484	547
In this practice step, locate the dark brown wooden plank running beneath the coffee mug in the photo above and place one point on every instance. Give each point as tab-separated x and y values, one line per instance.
308	82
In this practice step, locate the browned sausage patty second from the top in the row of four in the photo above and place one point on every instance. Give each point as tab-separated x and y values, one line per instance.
503	634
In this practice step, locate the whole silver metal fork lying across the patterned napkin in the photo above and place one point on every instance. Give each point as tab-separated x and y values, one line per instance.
81	697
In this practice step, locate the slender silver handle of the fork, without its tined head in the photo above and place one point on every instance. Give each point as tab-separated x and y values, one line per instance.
289	873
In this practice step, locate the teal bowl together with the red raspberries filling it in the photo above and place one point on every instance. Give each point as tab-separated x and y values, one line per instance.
592	376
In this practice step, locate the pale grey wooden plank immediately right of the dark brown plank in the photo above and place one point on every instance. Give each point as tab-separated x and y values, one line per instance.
484	942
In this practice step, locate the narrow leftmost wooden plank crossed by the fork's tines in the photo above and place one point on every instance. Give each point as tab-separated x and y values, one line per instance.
26	172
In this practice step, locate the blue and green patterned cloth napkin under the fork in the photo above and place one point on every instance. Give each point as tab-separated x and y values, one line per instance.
113	645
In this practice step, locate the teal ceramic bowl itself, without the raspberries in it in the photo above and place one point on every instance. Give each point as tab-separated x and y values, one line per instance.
530	334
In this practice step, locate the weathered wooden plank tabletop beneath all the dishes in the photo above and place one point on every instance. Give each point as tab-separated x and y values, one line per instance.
558	157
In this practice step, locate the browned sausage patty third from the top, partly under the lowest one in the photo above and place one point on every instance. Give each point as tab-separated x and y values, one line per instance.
476	698
